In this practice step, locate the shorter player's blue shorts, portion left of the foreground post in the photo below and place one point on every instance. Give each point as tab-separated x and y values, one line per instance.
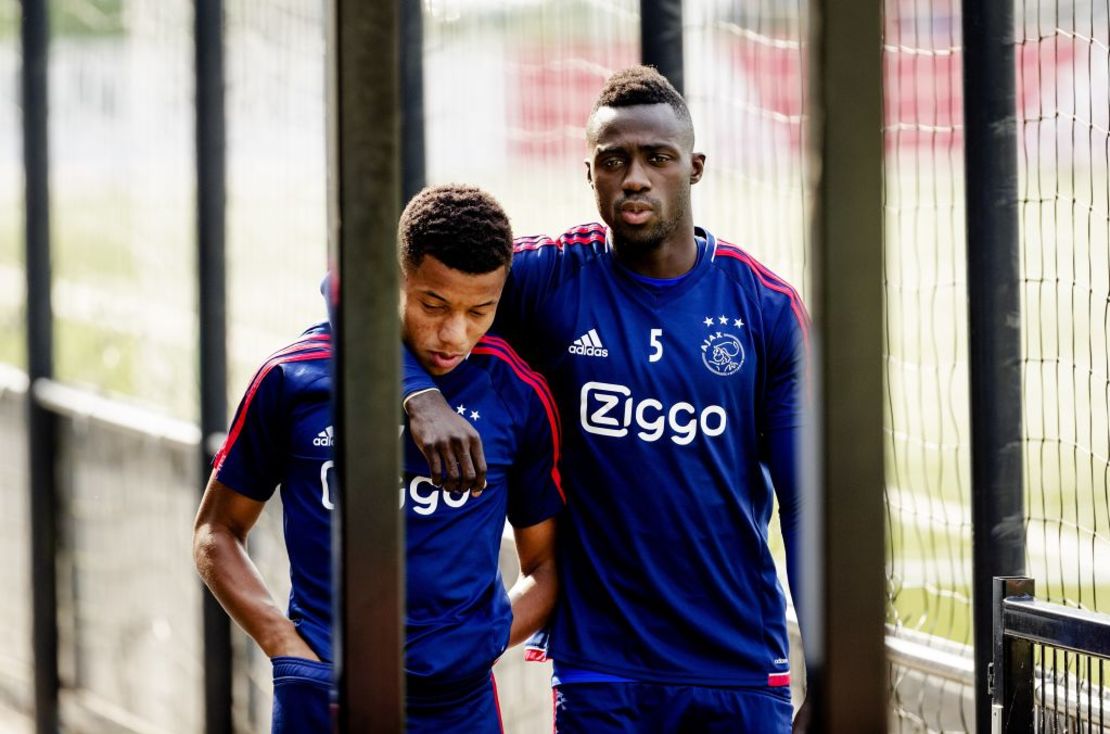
302	697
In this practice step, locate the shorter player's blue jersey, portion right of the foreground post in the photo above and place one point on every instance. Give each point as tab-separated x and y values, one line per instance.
459	615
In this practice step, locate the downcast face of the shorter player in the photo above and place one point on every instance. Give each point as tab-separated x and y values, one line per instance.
445	313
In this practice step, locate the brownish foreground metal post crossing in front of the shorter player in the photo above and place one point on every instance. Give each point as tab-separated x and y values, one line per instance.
365	177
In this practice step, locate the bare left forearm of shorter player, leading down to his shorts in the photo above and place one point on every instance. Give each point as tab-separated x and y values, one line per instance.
228	571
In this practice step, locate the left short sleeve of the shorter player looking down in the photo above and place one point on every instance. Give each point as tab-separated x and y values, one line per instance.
254	456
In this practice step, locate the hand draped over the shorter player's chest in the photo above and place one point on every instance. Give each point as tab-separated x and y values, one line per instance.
451	446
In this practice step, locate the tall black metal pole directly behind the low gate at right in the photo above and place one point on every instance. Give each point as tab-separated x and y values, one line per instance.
994	313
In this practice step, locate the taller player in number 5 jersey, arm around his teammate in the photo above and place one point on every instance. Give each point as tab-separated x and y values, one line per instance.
682	361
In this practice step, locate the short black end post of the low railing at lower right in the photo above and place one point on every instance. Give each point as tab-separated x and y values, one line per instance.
1013	663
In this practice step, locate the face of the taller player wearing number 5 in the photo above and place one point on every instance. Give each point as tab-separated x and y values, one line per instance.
641	167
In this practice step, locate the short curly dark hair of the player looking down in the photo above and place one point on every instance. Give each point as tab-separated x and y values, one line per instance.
461	226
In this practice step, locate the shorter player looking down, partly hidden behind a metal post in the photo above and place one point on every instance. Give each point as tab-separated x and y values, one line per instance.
456	249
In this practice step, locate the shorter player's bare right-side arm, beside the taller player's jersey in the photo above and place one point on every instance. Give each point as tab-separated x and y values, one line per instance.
534	594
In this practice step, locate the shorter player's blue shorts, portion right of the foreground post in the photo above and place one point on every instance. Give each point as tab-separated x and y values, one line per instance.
471	711
